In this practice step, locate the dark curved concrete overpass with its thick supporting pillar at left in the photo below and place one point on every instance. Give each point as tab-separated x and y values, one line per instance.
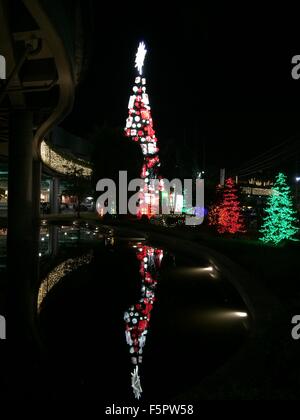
45	56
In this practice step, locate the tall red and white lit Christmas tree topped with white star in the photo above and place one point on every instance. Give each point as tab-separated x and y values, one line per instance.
139	126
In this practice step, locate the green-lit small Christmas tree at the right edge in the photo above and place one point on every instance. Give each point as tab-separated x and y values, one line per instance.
280	221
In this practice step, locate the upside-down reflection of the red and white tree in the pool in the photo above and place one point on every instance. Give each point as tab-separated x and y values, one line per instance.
138	316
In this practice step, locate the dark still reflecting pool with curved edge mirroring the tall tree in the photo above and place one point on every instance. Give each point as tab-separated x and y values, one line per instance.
125	320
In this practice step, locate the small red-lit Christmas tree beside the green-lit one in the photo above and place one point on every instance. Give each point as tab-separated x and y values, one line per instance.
230	218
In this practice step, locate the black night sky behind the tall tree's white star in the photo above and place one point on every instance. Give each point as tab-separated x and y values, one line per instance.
219	77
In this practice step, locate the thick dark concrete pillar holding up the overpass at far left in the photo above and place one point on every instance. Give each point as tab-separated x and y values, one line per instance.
21	261
